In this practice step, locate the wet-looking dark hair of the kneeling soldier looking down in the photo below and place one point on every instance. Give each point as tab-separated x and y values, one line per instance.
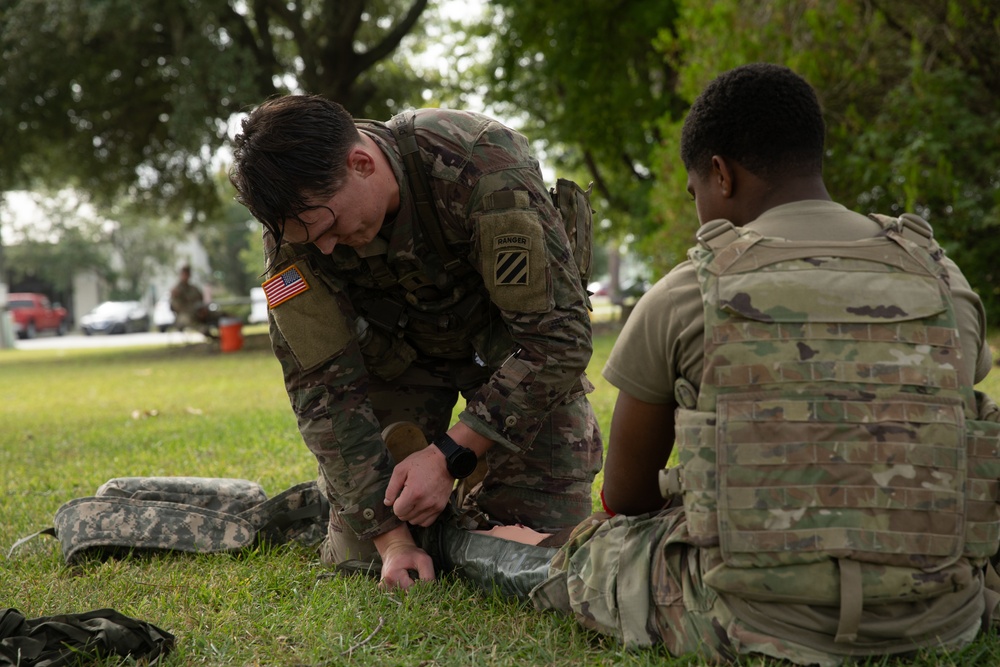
292	152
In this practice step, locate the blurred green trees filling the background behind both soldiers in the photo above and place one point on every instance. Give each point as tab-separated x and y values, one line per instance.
130	105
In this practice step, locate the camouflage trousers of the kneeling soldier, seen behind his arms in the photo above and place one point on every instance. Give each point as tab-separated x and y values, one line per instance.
548	487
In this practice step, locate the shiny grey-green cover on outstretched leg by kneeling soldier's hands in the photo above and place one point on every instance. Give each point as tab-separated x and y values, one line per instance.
492	563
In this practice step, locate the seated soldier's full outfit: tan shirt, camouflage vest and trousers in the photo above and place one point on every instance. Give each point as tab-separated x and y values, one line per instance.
758	559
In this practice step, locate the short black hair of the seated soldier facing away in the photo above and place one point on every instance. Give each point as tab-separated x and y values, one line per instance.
764	116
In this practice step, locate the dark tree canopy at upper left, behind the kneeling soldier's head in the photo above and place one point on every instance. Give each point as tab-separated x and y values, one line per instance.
131	97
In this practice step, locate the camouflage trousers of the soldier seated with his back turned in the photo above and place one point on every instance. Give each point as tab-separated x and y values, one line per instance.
640	580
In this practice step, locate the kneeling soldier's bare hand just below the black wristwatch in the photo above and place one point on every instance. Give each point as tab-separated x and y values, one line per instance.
420	487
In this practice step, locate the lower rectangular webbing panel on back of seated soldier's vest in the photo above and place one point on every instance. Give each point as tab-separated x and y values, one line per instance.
804	480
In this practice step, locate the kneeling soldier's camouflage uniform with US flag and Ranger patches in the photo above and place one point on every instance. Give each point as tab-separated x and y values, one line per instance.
387	333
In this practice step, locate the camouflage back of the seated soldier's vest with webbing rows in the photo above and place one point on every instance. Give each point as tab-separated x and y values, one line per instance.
829	369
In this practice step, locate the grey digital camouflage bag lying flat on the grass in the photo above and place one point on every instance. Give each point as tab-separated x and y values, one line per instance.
192	514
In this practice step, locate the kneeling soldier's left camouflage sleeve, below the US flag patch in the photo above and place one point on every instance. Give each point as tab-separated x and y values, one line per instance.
335	418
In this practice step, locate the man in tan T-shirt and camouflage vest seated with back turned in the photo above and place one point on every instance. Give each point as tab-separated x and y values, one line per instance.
836	493
